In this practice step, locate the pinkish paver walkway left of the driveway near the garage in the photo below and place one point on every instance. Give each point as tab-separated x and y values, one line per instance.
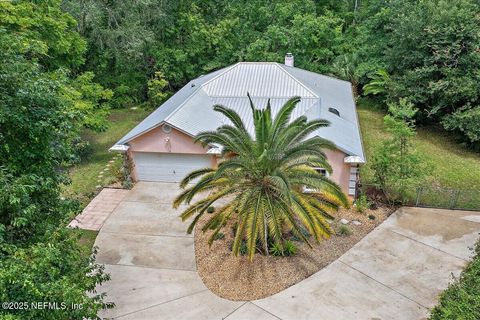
96	213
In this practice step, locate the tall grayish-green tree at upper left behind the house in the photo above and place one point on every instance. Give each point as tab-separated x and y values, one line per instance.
121	37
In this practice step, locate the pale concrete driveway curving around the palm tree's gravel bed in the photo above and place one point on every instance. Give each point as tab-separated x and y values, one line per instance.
396	272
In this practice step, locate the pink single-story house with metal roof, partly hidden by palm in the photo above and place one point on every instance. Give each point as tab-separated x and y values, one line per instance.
162	146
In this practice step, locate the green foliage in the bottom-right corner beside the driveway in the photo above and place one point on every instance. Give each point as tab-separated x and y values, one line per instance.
461	299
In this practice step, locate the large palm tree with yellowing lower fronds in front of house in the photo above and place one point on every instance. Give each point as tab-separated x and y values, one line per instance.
261	179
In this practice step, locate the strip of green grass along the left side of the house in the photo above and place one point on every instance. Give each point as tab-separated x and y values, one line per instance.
84	175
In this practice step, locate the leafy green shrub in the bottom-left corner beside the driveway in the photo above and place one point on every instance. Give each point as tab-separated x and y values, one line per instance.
52	271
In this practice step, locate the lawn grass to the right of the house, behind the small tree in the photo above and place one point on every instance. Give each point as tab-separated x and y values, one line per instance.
454	167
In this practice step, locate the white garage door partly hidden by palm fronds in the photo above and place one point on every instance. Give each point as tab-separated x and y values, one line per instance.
168	167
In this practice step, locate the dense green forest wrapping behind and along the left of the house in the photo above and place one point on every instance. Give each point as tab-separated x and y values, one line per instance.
64	64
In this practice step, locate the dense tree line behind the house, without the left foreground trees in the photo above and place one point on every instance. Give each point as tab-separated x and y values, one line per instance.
428	49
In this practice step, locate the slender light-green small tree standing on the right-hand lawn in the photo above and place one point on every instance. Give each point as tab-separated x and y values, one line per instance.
398	168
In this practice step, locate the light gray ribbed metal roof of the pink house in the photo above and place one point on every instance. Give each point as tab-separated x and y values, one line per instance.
191	108
